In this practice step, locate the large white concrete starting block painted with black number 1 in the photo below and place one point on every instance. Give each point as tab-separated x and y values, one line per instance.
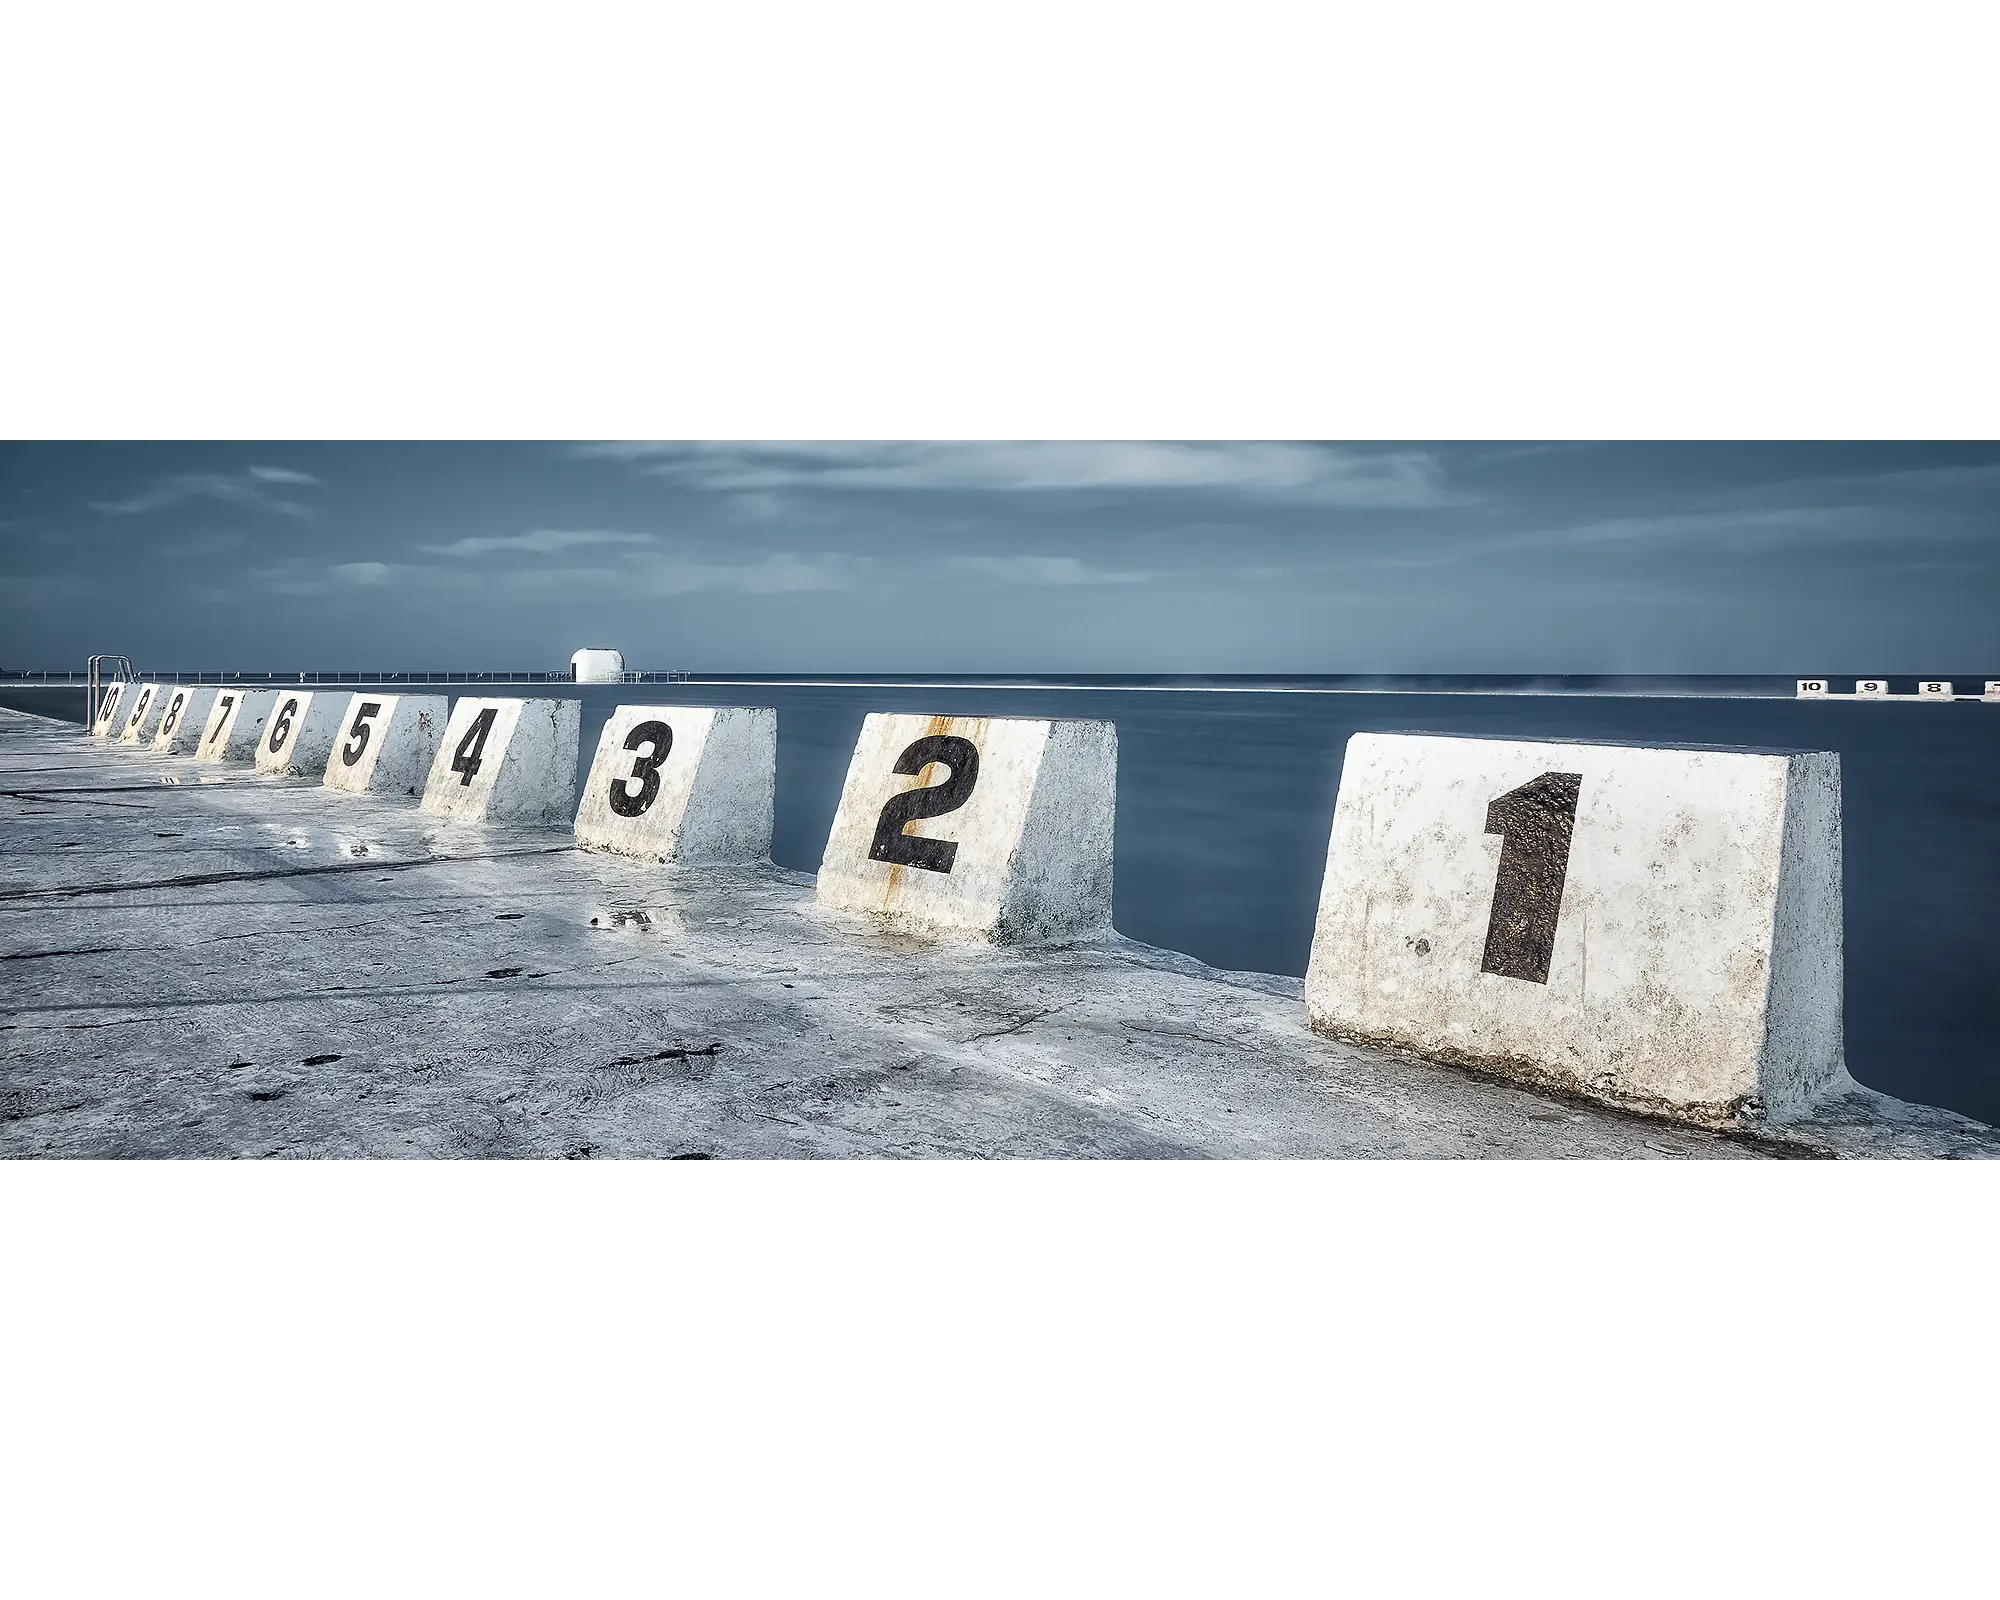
1657	929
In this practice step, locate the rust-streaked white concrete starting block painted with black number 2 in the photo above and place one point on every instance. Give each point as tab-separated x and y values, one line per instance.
995	829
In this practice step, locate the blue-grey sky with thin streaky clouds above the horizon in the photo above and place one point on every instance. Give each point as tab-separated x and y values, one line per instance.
1007	557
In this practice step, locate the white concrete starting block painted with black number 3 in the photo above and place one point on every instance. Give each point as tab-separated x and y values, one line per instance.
683	785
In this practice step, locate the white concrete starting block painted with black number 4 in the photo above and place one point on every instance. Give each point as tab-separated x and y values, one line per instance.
507	761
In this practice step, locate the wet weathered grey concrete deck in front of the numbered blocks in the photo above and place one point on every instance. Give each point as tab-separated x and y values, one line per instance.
265	969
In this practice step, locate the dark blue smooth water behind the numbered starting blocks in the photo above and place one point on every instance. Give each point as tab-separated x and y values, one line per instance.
1225	803
